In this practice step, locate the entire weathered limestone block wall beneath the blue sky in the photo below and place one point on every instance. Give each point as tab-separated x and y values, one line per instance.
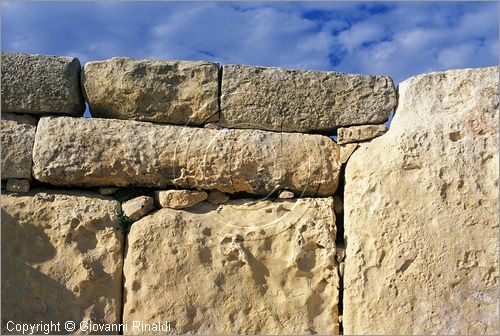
215	199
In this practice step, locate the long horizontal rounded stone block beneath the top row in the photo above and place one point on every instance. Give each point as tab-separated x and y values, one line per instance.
92	152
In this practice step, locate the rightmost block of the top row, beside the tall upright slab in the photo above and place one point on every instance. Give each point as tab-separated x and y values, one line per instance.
285	100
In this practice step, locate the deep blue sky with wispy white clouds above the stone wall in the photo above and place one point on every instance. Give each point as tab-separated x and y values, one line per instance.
392	38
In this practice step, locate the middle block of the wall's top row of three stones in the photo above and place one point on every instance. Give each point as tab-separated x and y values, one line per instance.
176	92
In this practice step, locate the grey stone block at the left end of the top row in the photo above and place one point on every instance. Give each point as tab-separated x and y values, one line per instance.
41	84
